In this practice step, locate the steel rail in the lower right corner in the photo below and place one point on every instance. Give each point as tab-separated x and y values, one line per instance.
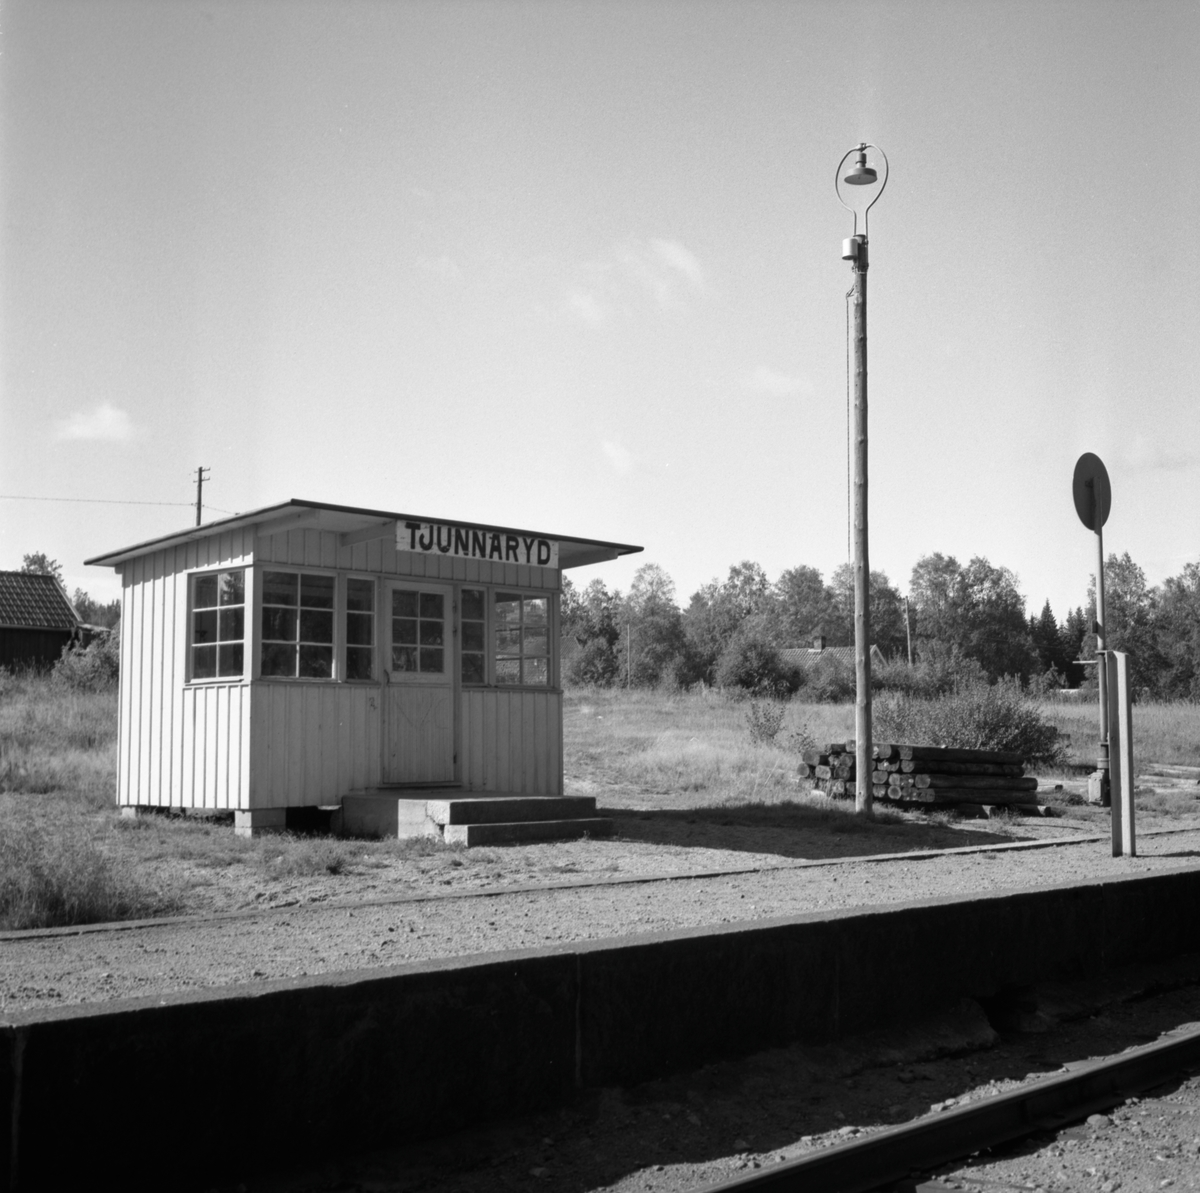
896	1155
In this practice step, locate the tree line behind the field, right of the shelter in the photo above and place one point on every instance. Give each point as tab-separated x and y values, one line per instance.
971	618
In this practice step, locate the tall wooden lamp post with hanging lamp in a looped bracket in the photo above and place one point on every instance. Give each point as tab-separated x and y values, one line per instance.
855	251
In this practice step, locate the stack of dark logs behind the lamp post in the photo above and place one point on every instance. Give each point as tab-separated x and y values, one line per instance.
925	775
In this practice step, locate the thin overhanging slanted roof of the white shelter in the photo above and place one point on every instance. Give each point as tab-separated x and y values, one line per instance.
357	525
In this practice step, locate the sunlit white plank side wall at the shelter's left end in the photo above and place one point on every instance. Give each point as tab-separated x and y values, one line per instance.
177	746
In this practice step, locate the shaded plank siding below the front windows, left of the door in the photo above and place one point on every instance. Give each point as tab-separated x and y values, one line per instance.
313	744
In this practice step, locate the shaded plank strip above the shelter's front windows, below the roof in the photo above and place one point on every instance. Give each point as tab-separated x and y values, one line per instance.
322	549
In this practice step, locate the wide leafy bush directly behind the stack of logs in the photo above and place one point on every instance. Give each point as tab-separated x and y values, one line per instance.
977	717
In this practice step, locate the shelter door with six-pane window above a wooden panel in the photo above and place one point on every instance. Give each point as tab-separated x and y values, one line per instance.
419	709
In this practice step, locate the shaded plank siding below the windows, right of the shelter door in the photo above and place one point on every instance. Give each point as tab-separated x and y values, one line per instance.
512	741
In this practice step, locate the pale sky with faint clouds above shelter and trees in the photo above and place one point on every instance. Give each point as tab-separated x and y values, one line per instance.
577	268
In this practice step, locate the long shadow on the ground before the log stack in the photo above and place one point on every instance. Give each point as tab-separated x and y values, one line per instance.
801	831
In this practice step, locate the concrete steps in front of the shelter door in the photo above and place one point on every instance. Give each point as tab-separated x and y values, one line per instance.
471	818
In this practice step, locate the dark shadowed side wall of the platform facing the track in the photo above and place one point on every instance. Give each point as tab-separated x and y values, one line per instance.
404	1053
